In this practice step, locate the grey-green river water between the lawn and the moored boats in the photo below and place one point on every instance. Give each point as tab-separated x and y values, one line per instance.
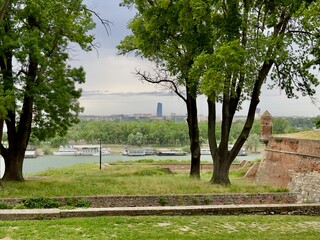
34	165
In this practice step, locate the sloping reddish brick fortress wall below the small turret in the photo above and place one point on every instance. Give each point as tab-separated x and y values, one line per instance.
285	157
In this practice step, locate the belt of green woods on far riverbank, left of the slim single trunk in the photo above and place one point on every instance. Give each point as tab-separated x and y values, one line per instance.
159	133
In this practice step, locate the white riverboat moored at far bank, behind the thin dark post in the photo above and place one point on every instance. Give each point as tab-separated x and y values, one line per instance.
81	150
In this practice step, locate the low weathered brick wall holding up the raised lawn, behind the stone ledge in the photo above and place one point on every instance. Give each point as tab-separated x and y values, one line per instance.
181	200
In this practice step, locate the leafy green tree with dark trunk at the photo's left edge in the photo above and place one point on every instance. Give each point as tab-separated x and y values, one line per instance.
35	42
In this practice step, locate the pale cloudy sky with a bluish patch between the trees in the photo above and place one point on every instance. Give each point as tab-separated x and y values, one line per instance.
112	88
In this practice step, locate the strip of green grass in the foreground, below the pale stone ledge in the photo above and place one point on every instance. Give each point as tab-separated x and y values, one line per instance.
166	227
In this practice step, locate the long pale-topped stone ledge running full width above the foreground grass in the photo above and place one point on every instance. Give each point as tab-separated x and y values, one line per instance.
262	209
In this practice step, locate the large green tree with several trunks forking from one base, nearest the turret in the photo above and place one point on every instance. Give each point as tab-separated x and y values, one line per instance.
253	41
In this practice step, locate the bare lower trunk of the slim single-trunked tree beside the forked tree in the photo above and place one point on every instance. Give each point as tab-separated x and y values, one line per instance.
193	135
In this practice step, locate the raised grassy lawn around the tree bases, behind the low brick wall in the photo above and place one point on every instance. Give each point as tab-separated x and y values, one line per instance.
87	179
